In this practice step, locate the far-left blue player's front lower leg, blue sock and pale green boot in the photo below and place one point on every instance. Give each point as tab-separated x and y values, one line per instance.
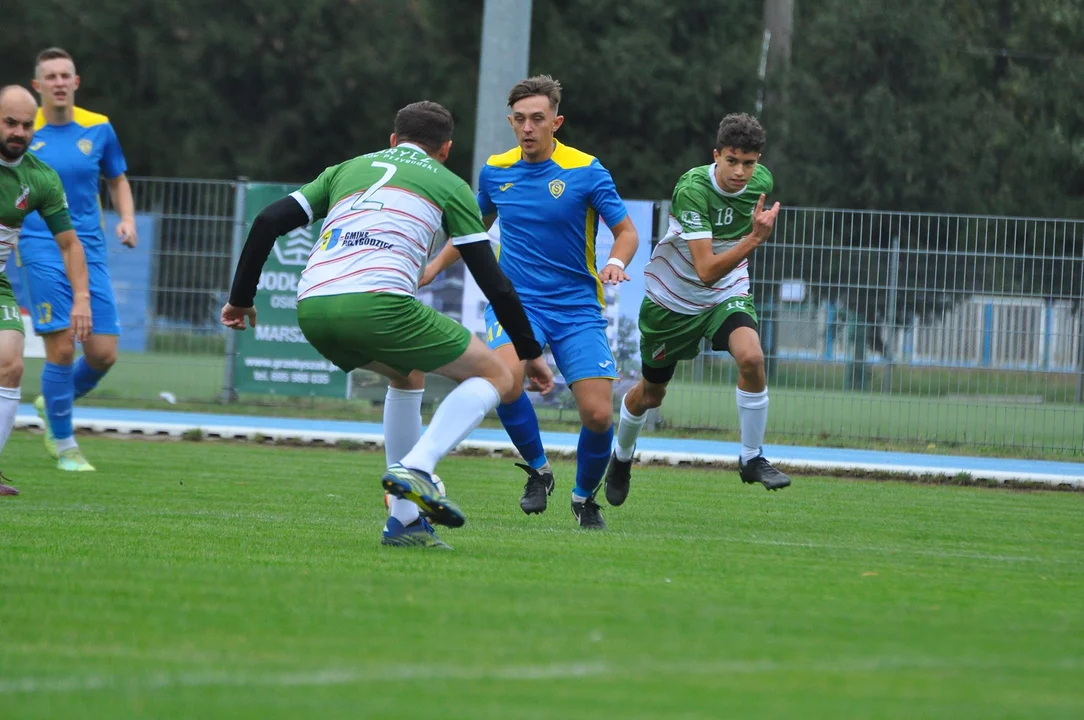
58	396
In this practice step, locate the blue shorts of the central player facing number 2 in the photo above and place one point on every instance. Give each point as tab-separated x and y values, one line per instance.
577	340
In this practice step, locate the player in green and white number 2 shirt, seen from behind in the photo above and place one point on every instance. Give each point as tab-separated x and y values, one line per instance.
385	214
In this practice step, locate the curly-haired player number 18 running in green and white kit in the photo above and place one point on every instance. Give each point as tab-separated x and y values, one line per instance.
698	286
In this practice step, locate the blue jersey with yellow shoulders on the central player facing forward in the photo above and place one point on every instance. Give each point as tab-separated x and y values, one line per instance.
549	214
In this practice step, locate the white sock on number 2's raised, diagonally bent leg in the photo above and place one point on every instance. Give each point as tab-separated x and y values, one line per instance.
461	413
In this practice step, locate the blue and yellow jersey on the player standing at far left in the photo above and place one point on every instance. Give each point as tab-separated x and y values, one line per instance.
82	152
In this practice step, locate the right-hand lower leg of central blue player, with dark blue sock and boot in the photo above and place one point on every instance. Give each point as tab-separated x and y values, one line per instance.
595	398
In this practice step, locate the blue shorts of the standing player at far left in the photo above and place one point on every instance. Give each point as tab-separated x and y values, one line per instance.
51	299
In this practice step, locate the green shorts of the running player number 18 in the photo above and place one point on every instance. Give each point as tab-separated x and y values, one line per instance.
667	337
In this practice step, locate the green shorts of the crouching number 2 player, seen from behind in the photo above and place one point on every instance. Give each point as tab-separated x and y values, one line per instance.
357	329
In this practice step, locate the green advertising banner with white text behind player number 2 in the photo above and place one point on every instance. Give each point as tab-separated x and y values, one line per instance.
275	358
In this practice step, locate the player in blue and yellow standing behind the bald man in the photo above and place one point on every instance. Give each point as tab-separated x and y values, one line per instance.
83	148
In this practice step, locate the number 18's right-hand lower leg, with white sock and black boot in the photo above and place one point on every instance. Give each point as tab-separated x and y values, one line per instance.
753	410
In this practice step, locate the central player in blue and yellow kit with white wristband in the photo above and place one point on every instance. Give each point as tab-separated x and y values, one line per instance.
549	198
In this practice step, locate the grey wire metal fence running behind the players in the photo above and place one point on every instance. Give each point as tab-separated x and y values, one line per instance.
880	328
